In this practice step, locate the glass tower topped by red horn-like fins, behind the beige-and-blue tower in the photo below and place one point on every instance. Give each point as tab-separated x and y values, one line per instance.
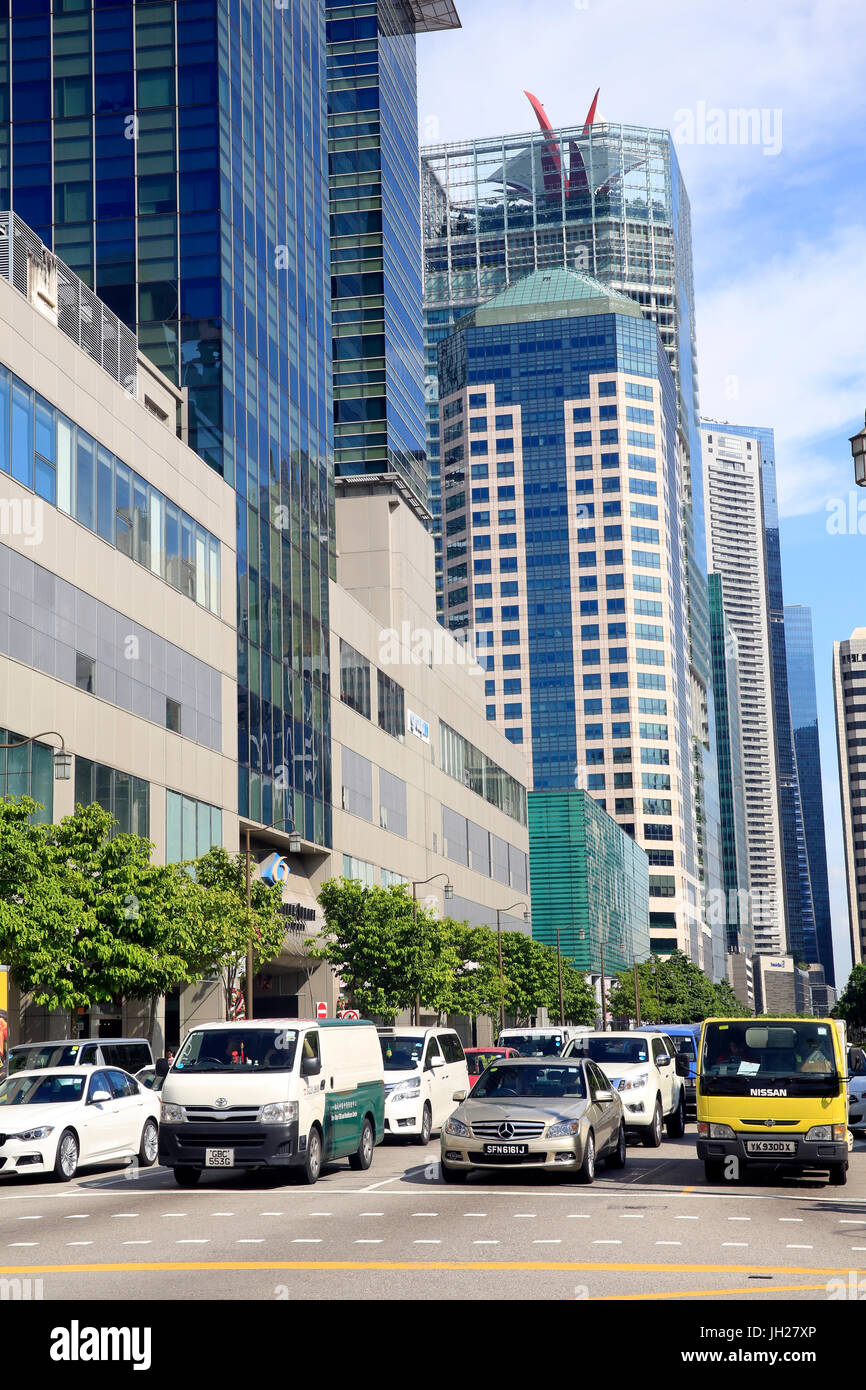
608	201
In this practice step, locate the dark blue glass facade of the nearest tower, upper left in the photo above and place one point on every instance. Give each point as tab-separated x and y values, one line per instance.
176	158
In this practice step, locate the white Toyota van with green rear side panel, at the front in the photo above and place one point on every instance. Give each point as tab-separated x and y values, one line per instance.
277	1093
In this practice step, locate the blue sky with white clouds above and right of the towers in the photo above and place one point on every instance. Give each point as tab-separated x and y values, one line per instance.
778	230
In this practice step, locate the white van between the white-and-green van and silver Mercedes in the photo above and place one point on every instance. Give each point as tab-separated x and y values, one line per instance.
423	1070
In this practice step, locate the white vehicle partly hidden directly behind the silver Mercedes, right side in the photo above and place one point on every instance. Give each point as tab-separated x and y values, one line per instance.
647	1074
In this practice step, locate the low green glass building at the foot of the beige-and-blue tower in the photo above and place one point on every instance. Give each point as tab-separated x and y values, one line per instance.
589	881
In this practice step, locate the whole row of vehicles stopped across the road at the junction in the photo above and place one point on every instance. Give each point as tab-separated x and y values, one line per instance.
298	1096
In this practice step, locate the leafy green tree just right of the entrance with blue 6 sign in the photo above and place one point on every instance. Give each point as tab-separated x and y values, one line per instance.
386	956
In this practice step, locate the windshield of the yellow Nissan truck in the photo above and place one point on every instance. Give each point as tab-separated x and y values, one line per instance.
796	1056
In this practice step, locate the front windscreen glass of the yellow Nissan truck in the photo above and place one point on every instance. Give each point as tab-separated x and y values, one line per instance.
769	1050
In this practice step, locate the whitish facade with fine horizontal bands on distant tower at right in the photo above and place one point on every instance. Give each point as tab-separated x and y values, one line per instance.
737	554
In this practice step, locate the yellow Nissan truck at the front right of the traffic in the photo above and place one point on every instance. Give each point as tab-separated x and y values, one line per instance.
772	1092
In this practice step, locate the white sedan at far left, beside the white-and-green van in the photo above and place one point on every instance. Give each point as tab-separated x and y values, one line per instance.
56	1120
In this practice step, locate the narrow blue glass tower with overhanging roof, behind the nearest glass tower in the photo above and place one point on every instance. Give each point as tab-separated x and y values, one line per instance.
376	234
